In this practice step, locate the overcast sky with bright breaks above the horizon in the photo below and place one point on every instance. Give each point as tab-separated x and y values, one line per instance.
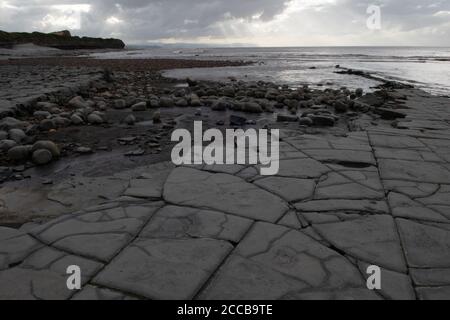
256	22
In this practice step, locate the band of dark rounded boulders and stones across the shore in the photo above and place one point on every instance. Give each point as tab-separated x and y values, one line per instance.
106	99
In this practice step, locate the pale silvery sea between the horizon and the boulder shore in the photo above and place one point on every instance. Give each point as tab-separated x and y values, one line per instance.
427	68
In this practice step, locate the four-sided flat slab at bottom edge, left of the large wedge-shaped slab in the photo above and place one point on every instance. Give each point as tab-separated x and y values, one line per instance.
164	268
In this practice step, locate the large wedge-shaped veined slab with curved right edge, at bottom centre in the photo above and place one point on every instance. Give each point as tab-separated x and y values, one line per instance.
274	262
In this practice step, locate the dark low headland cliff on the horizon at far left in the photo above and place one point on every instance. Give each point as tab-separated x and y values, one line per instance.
60	40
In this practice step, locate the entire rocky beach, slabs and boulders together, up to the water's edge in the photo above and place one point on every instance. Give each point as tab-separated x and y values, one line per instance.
87	178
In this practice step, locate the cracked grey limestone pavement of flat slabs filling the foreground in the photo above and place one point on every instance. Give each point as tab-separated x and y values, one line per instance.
338	204
